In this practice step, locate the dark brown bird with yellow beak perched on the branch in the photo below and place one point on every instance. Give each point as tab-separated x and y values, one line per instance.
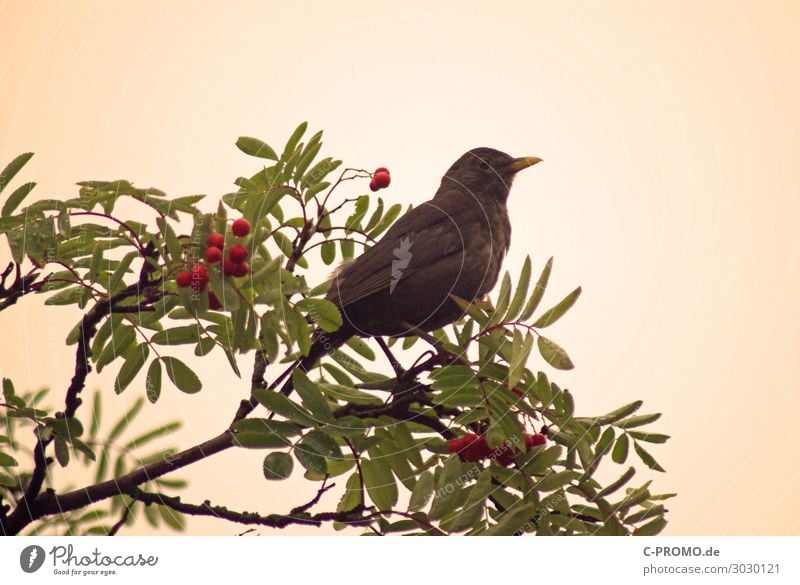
451	245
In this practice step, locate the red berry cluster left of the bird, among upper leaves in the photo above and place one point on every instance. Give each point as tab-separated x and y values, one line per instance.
234	265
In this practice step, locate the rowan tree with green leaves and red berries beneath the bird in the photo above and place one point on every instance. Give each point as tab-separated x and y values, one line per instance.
478	441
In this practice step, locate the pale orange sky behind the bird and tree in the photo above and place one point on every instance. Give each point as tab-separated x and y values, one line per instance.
670	189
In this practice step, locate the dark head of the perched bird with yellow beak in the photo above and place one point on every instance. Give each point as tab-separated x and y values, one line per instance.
486	173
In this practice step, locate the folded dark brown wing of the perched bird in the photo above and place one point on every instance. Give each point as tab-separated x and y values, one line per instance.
423	236
